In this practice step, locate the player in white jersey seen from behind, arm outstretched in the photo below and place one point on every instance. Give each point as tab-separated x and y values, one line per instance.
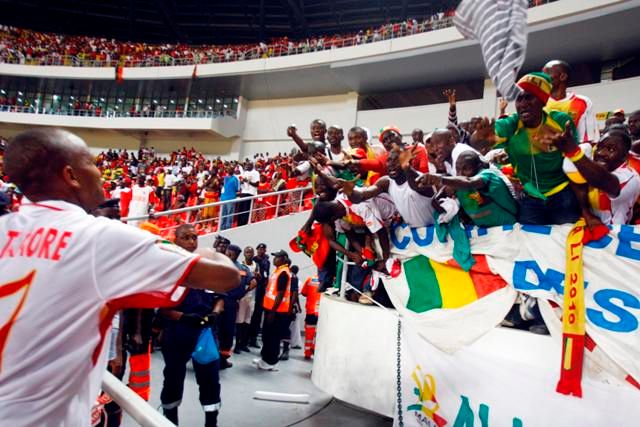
82	269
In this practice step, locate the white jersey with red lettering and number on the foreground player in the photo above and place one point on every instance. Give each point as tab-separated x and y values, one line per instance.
63	275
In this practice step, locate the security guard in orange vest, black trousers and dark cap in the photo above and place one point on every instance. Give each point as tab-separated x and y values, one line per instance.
277	316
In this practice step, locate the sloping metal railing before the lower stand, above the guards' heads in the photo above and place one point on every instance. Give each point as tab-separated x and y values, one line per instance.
223	215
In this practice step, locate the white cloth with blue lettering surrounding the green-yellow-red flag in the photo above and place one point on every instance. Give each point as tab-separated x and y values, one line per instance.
531	259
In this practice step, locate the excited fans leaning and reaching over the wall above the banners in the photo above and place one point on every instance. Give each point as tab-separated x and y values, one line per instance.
547	163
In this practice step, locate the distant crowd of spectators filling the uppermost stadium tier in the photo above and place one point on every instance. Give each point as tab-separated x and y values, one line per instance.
30	47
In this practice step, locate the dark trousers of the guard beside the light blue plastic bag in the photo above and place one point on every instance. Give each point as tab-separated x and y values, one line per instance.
178	343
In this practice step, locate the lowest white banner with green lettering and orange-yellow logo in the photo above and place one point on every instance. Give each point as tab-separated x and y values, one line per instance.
504	379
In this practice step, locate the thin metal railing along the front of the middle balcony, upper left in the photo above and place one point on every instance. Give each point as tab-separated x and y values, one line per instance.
190	114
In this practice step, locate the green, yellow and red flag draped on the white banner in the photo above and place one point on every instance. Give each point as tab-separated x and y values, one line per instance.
434	285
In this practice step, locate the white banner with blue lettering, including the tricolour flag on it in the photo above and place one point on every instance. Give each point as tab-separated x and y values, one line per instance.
531	260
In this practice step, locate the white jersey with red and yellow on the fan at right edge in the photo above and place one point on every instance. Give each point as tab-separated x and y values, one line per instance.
617	210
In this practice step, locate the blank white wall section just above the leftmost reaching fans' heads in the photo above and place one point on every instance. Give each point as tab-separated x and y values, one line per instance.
267	120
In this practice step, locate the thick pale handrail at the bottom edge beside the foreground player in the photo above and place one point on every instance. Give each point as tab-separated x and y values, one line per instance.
132	404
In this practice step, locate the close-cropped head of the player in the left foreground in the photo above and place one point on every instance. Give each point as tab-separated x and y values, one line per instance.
53	164
